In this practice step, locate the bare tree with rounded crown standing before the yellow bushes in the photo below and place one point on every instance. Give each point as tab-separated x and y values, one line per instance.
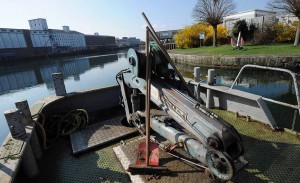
212	12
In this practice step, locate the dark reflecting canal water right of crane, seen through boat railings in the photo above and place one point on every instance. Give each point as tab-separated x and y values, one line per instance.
270	84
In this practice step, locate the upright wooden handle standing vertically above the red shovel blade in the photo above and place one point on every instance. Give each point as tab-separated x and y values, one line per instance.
148	93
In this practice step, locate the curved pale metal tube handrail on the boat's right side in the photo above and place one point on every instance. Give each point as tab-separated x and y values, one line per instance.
274	69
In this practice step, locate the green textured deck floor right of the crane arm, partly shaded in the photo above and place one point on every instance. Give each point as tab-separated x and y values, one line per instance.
272	156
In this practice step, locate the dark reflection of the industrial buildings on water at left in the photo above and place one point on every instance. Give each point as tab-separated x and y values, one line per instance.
12	78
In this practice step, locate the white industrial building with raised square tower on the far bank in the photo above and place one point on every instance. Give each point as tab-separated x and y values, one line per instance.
41	36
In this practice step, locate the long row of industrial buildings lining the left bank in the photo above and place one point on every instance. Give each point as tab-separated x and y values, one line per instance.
40	40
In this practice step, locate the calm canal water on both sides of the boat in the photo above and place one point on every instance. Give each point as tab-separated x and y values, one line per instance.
32	81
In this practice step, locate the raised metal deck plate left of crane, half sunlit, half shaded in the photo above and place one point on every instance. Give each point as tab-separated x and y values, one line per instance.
99	134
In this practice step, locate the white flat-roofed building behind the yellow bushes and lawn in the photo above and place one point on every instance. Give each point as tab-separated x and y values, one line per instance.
255	16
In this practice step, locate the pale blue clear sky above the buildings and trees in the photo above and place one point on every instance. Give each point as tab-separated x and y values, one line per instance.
120	18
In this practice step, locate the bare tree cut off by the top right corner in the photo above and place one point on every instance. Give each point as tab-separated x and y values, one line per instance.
293	7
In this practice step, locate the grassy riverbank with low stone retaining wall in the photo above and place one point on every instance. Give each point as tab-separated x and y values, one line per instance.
286	56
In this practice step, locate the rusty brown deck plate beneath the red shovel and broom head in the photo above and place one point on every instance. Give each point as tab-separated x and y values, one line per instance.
179	171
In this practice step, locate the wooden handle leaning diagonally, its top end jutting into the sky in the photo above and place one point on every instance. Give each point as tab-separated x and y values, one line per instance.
154	36
